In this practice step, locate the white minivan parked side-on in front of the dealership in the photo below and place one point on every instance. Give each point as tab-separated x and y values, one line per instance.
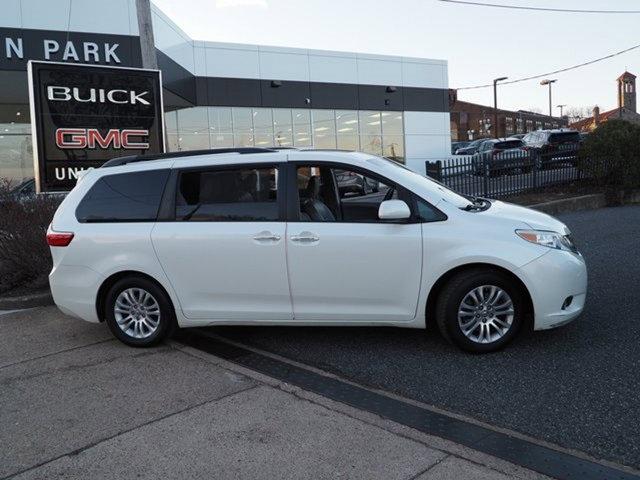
254	236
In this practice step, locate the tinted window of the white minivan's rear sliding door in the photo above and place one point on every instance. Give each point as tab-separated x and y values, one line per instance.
242	195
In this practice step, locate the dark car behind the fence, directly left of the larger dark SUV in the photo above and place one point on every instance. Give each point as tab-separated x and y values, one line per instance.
500	156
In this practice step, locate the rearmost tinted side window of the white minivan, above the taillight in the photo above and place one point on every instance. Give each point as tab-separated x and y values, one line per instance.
125	197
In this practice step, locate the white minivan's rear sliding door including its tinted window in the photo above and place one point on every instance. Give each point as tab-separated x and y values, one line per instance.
225	252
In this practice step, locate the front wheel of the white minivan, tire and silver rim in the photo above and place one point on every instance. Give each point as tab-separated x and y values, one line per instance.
480	311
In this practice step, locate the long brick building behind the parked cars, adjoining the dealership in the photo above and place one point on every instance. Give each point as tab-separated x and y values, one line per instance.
471	120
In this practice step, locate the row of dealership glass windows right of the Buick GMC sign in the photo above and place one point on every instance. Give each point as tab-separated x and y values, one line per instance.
376	132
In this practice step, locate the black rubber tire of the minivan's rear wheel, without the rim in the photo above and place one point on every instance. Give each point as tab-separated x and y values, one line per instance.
166	322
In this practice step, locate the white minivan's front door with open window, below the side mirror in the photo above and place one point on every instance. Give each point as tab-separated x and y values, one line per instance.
344	263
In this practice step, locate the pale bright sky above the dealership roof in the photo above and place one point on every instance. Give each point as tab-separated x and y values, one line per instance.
479	43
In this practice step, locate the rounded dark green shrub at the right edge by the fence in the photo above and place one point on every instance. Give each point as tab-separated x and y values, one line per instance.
611	155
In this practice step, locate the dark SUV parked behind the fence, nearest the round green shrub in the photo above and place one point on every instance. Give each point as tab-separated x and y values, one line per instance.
553	146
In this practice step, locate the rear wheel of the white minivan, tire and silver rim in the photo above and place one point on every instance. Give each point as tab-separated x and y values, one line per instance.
138	312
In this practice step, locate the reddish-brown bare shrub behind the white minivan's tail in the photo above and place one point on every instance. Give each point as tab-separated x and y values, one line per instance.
25	259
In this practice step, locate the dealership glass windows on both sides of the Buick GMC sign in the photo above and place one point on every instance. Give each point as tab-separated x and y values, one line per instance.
379	133
